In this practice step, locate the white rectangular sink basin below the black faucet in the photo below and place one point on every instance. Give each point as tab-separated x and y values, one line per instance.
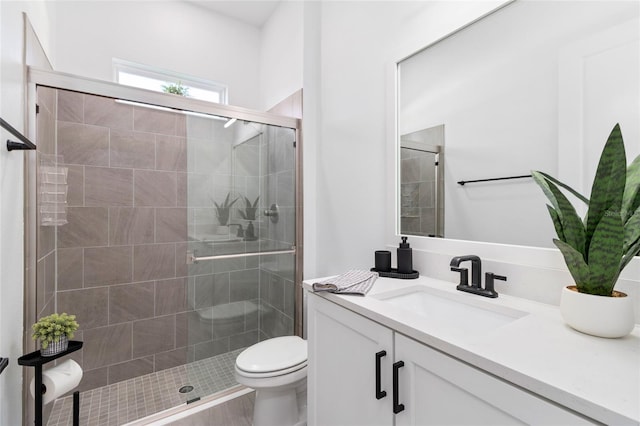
460	315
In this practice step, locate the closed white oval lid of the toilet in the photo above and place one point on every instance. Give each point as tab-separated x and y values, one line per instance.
274	354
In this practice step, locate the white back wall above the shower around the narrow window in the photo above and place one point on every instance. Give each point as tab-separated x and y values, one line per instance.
177	36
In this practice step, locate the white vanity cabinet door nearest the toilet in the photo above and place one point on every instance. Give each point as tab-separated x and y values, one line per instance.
342	367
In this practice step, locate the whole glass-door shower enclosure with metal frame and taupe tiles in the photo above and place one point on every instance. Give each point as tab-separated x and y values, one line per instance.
171	228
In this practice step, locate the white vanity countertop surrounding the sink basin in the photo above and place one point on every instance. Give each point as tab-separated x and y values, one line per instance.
597	377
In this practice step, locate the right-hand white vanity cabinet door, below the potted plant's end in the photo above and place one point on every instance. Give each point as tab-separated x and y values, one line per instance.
437	389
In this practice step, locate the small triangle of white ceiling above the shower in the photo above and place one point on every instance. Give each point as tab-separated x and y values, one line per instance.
253	12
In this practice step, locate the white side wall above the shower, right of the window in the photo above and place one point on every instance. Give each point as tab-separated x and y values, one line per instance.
281	54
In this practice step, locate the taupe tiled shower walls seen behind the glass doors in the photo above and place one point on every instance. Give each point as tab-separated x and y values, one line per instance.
121	258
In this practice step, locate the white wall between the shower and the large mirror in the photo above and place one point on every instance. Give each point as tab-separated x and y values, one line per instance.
359	43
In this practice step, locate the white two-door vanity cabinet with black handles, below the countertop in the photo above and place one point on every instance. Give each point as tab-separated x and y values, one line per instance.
432	388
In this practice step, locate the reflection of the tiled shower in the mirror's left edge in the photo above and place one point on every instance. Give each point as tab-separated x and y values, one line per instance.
422	182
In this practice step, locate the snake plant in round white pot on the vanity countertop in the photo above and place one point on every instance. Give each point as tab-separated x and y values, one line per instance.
597	248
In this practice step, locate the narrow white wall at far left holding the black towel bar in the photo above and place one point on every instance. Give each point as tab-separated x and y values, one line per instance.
12	87
